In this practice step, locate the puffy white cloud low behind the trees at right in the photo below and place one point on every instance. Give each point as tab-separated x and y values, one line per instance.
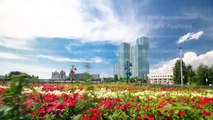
189	58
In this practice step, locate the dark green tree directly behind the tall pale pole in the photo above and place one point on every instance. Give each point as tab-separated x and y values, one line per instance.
176	72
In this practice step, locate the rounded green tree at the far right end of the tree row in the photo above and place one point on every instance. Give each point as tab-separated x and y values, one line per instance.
202	73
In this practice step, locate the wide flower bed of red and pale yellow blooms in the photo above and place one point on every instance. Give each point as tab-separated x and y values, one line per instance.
91	102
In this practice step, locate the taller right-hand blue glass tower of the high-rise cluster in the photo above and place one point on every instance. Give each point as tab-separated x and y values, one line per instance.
140	58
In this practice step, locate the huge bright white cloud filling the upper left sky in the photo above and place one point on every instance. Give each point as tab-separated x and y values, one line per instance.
24	20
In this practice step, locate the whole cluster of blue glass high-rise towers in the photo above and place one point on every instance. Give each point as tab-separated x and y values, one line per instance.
137	54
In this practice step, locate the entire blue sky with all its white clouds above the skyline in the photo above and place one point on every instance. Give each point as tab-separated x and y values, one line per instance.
42	36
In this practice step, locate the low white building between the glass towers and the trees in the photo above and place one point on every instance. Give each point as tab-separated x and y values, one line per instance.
163	79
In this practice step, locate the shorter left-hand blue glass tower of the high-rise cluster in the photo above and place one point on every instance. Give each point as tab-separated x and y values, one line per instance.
123	56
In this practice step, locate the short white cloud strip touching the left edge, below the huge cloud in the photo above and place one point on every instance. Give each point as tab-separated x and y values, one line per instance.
6	55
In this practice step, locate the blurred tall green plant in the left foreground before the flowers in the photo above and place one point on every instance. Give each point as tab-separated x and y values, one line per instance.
13	99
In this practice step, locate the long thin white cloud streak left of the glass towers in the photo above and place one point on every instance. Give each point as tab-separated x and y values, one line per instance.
63	59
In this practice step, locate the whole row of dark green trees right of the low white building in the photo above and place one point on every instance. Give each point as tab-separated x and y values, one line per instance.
202	75
